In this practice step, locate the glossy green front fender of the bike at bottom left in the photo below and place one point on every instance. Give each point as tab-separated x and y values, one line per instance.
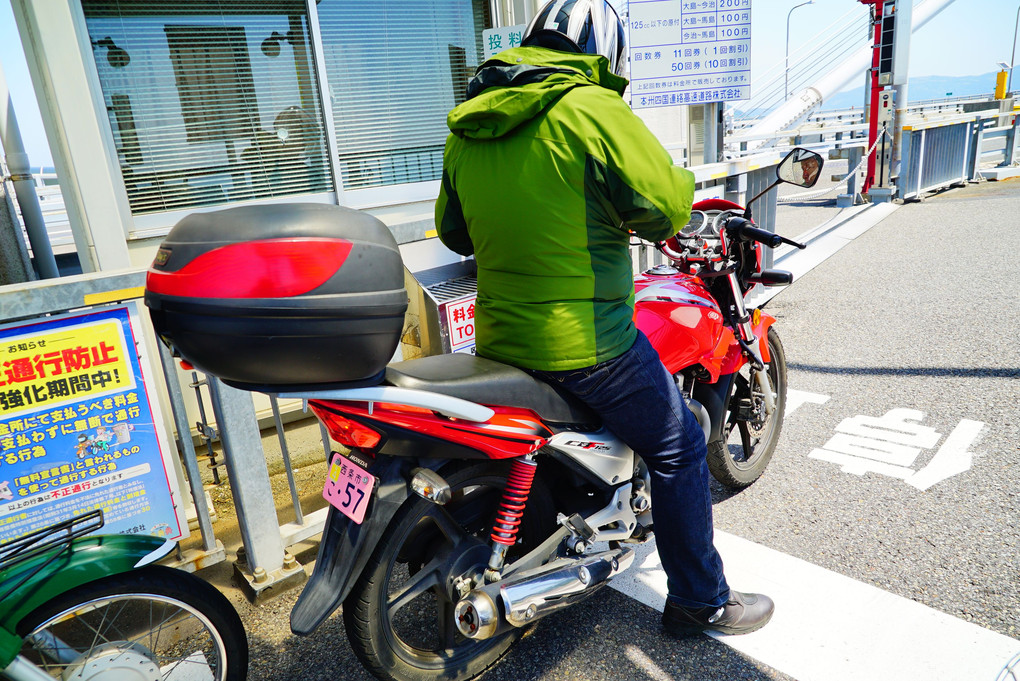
85	560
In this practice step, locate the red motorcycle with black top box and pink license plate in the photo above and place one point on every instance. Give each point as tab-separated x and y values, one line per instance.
471	500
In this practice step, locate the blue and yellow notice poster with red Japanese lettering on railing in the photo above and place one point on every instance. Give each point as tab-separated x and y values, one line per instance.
79	431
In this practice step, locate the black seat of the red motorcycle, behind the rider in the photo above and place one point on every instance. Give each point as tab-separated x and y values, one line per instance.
490	383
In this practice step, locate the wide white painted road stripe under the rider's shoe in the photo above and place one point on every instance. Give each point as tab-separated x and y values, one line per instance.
829	627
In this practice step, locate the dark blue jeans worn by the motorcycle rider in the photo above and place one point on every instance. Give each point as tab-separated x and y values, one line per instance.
640	403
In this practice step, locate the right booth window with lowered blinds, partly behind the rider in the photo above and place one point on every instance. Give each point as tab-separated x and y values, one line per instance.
396	68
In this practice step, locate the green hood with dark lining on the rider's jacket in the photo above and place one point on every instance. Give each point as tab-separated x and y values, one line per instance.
518	85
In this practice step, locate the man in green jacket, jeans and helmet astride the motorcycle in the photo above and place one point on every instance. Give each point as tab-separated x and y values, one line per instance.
546	172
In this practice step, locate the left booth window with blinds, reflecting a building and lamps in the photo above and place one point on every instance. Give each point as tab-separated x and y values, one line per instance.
210	103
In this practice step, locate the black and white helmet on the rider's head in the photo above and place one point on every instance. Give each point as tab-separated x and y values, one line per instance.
591	27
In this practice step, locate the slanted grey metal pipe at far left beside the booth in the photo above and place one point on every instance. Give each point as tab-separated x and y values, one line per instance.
25	186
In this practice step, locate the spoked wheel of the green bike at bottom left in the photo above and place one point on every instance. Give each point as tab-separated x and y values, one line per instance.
151	623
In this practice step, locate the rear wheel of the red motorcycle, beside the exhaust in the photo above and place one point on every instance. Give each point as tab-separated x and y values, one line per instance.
399	616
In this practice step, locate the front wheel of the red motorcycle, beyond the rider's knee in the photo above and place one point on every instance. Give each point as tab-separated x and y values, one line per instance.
749	437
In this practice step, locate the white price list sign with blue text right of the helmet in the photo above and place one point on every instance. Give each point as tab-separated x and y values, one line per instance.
690	53
